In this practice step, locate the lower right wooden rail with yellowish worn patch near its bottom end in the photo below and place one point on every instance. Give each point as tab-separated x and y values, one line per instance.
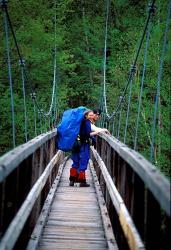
127	224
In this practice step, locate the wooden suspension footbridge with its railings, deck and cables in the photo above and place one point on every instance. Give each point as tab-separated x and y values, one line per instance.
128	203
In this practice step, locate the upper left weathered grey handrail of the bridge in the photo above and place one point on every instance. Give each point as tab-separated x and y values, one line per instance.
13	158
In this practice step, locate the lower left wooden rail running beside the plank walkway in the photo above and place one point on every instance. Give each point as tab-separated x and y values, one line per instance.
13	231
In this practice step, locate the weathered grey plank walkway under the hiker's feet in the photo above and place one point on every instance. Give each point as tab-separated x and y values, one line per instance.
75	220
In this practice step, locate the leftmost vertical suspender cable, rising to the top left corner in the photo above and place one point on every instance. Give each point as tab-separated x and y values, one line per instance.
9	74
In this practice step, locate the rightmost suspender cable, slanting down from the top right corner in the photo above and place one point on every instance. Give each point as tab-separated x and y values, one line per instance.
158	83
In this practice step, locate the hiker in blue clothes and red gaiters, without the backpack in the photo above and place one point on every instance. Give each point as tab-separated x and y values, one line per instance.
82	155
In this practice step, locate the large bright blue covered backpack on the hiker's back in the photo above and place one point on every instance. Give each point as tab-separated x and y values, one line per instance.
69	128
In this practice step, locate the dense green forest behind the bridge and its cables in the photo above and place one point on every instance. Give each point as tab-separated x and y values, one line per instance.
74	31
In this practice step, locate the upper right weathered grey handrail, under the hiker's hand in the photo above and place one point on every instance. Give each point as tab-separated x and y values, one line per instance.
151	176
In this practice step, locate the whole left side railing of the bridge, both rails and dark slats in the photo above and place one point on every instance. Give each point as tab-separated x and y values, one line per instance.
26	176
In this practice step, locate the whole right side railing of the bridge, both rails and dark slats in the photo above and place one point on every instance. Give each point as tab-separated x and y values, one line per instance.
137	196
